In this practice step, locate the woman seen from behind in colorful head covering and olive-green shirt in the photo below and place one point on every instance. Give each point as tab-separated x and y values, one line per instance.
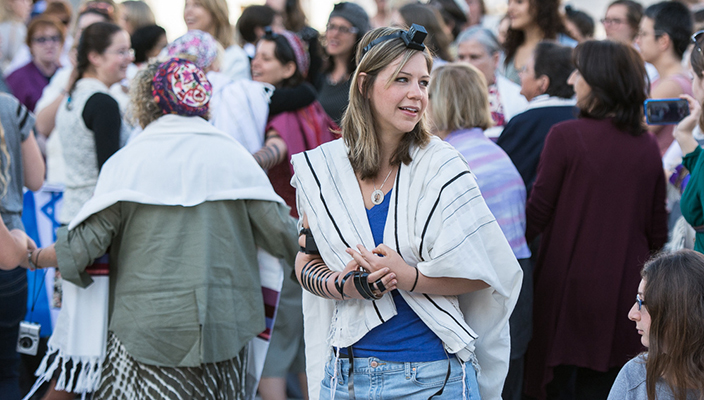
183	223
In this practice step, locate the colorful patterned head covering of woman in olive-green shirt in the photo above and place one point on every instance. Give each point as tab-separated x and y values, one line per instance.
180	87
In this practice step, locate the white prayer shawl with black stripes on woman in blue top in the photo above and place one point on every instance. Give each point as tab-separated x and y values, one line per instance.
439	223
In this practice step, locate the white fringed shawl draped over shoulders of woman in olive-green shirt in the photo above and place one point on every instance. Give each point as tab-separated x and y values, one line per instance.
164	165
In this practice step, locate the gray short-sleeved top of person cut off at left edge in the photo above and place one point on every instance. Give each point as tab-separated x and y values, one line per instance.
18	123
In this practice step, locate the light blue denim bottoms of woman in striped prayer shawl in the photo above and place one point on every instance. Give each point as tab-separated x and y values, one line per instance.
376	379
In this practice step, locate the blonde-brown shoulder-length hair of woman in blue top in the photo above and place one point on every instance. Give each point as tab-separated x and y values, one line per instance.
358	124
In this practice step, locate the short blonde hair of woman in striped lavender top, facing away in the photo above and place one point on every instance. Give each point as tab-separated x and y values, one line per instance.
459	98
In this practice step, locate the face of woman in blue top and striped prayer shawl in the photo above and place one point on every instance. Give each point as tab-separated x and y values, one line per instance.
398	106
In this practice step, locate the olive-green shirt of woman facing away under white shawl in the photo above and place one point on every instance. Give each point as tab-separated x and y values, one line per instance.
184	281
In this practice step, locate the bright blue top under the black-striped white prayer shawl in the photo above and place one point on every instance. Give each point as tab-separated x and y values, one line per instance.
404	337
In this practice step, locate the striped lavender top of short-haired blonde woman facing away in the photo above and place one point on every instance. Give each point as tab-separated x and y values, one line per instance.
500	183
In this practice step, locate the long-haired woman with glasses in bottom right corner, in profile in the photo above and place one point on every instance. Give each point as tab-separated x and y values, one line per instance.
669	317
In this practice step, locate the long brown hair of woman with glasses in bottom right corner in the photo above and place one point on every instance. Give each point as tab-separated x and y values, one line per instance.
674	298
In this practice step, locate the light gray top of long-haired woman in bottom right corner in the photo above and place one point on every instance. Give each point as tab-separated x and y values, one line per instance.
630	384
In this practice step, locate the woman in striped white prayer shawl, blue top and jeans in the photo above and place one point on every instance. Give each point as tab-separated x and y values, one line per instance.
409	281
